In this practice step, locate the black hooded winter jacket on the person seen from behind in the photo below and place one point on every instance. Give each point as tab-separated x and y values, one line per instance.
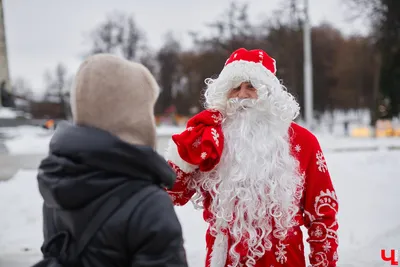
82	169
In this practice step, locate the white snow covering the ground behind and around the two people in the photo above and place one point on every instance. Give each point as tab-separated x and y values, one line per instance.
367	185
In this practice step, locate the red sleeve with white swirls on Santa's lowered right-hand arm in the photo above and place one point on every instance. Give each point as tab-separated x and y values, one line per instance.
320	208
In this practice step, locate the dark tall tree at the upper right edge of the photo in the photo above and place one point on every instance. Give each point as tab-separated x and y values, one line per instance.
384	19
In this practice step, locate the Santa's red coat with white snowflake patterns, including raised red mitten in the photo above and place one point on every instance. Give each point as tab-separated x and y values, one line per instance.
318	207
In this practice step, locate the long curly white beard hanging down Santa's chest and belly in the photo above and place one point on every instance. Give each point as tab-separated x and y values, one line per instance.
256	184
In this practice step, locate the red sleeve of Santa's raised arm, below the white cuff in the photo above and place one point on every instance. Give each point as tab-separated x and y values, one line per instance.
180	193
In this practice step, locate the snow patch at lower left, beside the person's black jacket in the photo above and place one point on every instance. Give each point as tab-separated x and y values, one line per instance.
20	223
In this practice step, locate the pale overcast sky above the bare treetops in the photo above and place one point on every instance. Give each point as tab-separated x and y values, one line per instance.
41	33
